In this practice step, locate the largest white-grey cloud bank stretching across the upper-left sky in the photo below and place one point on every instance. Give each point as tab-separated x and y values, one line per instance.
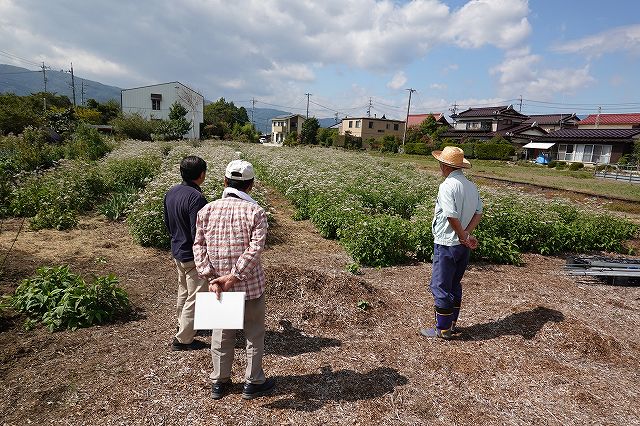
251	47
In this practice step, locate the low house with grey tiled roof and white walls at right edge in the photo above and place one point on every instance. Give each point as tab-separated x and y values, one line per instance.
591	146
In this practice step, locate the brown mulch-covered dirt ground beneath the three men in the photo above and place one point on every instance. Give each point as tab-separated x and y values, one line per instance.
537	347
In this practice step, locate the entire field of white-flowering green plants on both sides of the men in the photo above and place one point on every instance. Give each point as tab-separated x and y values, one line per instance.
380	211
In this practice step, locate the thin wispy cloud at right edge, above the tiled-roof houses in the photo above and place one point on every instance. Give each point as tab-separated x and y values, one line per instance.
625	38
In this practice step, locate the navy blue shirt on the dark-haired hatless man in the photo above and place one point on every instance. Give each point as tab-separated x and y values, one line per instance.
181	206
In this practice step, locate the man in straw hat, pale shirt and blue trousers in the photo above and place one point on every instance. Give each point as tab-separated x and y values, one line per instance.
457	213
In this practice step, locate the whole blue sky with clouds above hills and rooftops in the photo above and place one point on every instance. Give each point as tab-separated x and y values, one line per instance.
558	56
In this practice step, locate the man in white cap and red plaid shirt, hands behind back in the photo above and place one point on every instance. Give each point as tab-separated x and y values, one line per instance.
230	237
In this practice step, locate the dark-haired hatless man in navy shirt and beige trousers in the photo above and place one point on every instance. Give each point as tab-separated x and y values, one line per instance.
181	206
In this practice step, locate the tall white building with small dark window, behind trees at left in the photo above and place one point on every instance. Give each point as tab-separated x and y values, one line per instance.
154	102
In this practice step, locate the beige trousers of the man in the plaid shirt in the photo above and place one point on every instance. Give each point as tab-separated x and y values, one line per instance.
223	343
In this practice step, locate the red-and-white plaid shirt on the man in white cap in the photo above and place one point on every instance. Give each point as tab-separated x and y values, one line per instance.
230	237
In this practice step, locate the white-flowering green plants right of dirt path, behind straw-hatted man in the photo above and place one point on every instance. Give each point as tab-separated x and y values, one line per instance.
382	214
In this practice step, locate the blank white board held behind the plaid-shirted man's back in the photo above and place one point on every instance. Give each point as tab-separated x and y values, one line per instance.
226	313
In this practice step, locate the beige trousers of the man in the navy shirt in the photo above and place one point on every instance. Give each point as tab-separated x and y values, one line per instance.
189	283
